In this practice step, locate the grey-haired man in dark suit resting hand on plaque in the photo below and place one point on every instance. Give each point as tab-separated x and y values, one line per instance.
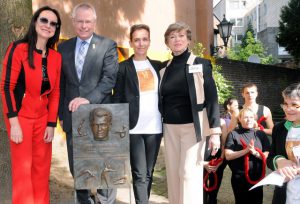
89	70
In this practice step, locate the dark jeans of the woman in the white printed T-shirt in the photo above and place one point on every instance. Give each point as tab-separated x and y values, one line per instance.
143	153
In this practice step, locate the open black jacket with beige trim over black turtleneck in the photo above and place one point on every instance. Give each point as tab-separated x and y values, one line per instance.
203	96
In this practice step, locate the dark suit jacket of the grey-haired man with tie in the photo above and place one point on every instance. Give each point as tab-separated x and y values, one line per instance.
98	75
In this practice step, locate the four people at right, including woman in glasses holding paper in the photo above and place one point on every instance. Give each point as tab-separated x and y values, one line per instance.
252	143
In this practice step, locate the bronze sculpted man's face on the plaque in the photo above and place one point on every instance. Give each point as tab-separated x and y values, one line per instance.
100	121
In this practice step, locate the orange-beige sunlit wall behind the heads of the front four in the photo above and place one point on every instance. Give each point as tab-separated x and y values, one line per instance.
116	16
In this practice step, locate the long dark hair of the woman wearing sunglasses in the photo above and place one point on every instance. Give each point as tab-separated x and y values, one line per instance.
31	35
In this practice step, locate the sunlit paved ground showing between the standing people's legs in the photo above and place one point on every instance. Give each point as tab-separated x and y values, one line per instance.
61	182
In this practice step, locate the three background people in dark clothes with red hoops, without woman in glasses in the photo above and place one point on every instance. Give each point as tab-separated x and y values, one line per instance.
242	138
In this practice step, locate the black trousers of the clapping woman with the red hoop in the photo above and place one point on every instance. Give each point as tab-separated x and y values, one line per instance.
241	192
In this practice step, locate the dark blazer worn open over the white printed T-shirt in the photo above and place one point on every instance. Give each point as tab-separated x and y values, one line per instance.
127	88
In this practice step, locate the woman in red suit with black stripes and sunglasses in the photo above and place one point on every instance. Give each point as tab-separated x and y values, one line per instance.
30	96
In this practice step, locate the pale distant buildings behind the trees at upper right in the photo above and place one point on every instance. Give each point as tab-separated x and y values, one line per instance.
264	15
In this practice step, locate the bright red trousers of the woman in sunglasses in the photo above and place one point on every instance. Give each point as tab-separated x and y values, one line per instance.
31	162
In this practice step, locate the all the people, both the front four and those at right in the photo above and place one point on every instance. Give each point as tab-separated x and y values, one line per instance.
177	99
